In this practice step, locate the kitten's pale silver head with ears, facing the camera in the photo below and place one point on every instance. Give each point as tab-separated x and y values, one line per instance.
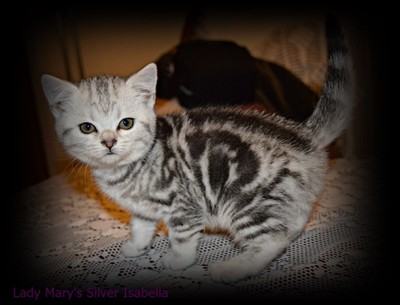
105	121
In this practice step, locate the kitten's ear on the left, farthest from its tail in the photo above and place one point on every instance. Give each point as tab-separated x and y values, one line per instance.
58	92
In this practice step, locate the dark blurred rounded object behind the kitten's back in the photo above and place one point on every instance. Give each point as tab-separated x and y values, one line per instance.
221	73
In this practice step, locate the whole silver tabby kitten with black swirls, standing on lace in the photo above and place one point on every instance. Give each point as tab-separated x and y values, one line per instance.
253	174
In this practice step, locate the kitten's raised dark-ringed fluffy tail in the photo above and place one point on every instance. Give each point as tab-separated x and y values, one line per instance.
335	106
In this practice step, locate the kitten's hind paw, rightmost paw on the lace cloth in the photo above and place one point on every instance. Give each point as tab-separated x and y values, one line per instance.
227	272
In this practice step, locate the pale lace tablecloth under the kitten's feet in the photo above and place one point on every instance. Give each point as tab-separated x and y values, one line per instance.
74	236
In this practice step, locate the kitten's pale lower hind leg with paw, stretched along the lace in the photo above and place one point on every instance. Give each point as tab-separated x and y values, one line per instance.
255	258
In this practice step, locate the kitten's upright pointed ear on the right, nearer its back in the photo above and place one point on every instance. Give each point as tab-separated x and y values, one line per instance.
145	80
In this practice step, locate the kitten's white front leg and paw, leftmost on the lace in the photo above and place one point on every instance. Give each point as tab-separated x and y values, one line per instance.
142	233
